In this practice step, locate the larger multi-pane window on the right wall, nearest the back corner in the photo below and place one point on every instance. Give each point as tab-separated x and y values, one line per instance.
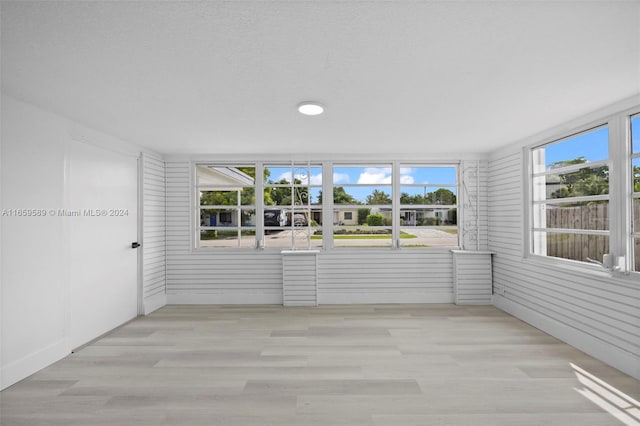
570	197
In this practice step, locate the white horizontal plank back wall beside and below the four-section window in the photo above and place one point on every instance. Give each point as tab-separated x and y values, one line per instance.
344	275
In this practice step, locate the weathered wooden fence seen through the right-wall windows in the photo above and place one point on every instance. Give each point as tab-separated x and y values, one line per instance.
584	247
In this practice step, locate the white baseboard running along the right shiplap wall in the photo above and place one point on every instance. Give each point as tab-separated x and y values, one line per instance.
615	357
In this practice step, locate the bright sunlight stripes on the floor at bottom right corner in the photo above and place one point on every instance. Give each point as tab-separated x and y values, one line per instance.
618	404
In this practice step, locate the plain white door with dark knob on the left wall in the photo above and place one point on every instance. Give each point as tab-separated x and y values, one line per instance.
103	191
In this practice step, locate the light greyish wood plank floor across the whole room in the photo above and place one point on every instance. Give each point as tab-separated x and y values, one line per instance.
358	365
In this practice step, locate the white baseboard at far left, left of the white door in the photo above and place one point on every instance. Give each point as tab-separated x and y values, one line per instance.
27	365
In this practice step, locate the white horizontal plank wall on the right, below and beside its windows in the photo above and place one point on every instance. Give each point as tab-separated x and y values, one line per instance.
598	314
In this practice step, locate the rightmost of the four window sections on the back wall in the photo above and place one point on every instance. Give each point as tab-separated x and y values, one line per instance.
428	206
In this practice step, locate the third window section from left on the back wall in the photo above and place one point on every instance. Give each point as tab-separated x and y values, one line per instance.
362	206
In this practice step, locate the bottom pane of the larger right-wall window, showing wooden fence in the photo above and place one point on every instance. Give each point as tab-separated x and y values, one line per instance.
584	248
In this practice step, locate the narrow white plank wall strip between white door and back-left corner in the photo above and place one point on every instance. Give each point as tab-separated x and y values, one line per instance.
153	233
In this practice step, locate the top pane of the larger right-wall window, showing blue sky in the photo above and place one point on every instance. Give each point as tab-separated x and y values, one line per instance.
582	148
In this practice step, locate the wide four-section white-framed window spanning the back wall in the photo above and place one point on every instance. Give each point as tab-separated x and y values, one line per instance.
378	205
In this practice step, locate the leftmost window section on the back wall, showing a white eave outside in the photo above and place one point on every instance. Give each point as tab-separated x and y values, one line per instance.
225	196
